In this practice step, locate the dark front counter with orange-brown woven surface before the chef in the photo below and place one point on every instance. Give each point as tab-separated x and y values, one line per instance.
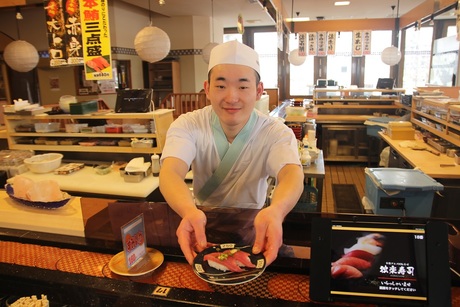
75	270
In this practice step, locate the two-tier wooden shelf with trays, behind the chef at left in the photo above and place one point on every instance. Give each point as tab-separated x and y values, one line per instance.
162	118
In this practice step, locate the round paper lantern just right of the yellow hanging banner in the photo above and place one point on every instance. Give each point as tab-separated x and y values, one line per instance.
152	44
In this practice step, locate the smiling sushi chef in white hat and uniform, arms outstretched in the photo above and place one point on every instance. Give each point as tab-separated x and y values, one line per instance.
232	149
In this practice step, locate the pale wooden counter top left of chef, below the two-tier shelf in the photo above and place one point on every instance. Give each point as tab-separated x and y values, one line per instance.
87	181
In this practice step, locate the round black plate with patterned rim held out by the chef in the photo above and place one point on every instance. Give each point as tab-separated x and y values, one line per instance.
205	271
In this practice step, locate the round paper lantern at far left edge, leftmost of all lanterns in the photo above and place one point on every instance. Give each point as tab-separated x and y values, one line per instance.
21	56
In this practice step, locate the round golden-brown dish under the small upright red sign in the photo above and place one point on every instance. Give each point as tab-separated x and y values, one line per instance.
150	263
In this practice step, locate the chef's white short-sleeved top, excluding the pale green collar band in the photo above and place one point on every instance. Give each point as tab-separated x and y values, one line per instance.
270	146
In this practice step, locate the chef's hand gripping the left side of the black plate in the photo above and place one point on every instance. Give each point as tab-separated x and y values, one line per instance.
191	234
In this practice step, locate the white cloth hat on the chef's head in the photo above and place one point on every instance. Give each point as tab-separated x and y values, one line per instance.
234	52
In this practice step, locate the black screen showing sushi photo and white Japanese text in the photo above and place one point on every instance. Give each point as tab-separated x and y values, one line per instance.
372	262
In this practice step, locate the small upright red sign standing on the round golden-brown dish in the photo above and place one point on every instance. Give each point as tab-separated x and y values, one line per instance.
134	242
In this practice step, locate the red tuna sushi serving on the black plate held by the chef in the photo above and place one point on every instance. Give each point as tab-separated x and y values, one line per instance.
229	260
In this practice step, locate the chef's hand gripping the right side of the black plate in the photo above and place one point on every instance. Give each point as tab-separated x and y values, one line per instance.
269	233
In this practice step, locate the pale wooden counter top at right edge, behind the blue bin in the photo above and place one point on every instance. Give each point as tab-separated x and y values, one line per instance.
427	162
